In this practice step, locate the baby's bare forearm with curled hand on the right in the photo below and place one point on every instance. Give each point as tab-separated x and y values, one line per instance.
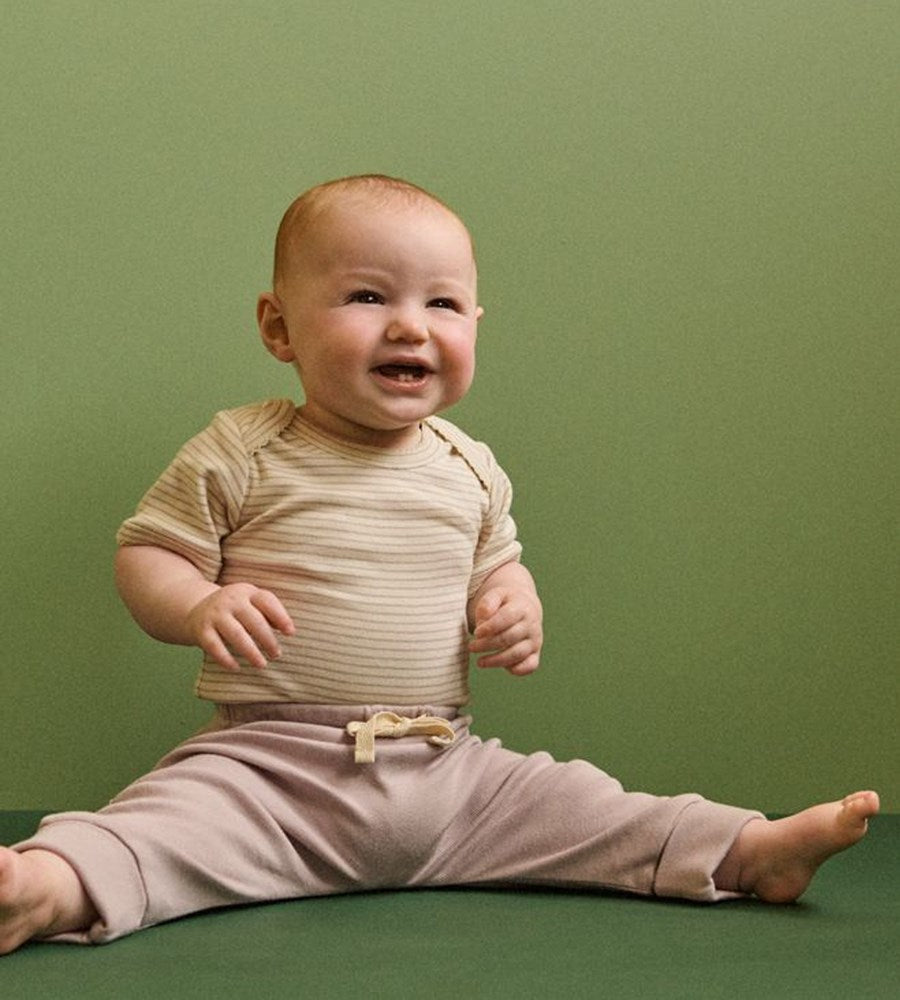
506	617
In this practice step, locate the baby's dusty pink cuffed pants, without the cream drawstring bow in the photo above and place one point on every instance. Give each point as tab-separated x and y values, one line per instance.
269	804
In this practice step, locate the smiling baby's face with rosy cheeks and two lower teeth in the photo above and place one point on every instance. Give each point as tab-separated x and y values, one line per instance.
379	316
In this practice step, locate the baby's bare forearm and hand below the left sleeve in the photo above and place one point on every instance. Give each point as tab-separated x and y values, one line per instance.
171	600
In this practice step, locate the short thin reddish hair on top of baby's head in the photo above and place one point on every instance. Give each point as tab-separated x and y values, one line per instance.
378	189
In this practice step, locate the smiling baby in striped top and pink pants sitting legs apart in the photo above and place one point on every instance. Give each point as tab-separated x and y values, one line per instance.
337	563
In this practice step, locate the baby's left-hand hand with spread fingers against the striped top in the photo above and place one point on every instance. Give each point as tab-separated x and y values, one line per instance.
239	618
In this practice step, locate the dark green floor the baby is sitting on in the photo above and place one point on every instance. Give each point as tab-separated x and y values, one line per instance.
842	941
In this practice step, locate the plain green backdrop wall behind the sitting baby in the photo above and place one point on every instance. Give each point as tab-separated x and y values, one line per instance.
686	216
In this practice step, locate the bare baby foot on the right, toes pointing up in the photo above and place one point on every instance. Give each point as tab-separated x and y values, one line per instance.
775	860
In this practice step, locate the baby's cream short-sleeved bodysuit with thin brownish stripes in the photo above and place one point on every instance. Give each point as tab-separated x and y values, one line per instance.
374	554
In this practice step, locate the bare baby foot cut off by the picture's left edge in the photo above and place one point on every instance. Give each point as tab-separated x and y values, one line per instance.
40	895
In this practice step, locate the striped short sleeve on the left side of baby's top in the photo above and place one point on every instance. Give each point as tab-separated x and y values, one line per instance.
196	502
